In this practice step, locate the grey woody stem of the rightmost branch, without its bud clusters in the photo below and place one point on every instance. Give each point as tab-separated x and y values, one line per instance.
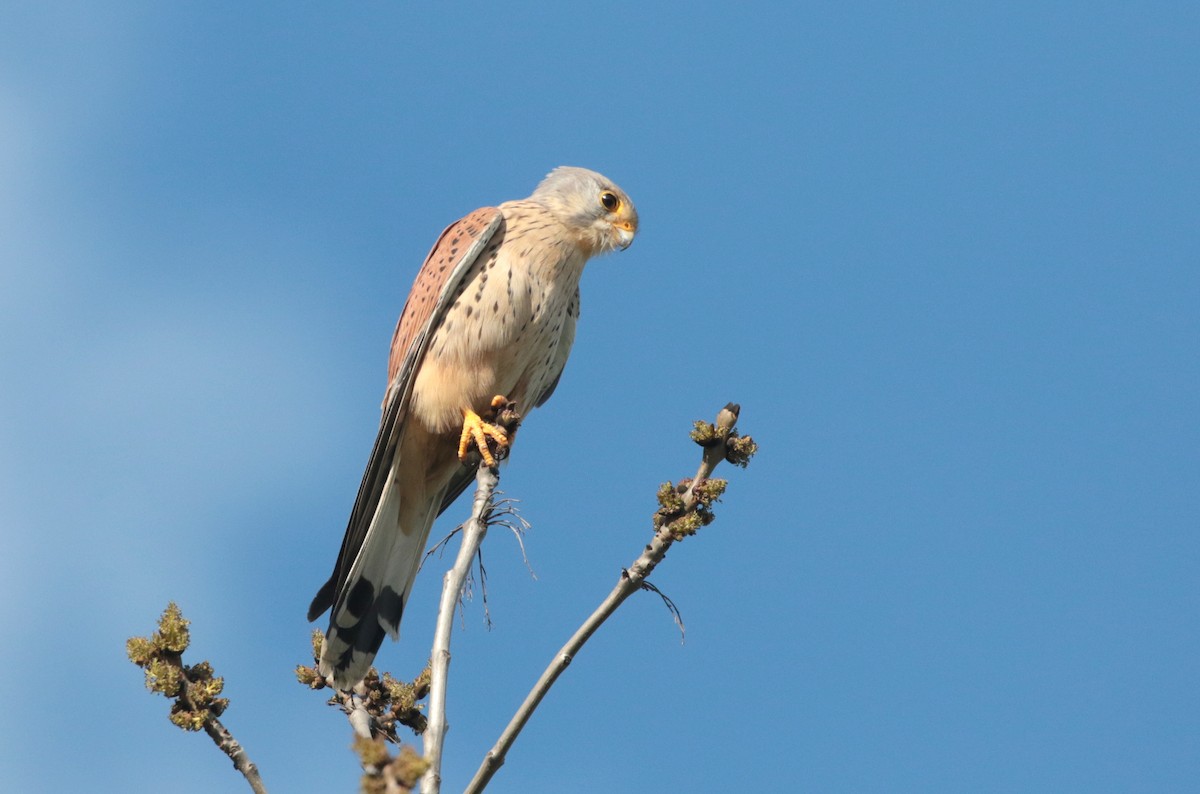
631	582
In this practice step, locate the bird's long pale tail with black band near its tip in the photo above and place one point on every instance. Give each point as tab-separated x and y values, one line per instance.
371	603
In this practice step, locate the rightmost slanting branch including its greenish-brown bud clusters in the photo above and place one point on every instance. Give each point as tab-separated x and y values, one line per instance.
682	512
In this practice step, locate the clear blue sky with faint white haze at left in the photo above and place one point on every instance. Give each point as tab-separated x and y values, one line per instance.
946	257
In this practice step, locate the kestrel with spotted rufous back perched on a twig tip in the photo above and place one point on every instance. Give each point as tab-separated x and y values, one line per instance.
489	322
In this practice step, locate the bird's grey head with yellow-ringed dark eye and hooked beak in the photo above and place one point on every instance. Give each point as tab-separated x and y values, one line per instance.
592	207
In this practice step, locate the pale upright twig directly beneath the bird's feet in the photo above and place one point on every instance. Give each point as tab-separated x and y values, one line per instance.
473	533
